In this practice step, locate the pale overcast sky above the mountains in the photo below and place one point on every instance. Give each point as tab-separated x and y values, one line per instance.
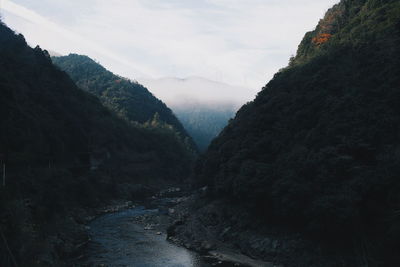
241	42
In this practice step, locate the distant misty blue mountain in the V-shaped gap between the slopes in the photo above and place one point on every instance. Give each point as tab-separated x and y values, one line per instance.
203	106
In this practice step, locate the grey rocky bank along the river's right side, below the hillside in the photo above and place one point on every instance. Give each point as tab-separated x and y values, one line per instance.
228	230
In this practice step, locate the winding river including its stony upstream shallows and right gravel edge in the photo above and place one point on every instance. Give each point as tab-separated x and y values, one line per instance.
139	236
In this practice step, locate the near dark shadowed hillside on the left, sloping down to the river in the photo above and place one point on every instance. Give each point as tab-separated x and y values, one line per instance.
62	151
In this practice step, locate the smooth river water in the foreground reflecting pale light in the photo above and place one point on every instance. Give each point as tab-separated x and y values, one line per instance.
118	241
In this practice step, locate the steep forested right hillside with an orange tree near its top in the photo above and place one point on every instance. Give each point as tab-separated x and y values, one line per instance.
318	149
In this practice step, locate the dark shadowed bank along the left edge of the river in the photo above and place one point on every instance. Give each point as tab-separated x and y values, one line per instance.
63	238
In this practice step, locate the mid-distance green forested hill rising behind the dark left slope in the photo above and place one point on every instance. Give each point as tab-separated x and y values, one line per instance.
130	100
